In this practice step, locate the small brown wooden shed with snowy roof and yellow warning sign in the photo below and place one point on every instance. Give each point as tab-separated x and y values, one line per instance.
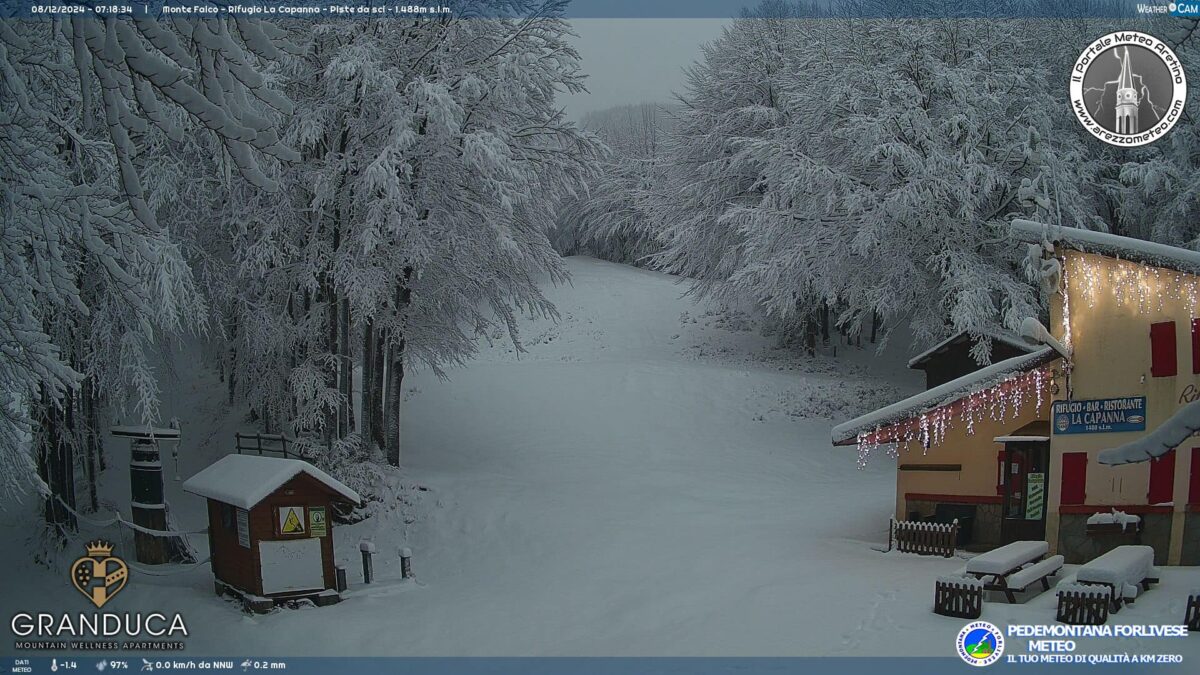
271	528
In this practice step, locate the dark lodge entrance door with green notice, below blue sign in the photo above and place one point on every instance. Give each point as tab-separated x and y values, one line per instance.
1027	476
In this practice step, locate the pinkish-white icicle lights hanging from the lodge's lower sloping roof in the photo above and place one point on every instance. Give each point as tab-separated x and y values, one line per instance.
1005	401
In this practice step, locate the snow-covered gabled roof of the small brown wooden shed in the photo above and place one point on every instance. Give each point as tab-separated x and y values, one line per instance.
244	481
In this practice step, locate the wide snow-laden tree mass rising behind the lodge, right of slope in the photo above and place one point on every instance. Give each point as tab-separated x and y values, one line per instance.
869	166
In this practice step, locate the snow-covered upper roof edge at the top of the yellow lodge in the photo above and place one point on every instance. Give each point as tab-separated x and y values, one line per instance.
1114	246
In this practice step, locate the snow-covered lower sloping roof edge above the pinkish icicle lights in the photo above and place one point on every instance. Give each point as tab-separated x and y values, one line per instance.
941	396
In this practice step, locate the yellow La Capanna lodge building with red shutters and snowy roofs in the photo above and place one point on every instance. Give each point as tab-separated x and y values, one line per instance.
1012	449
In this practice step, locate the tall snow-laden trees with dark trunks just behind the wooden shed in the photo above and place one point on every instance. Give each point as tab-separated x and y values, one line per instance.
433	162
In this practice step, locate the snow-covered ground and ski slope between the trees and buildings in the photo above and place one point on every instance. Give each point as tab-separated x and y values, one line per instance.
651	479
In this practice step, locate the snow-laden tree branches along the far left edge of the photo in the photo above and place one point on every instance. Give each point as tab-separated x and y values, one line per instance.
92	274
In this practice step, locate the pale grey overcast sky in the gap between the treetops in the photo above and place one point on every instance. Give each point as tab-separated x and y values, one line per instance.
637	61
